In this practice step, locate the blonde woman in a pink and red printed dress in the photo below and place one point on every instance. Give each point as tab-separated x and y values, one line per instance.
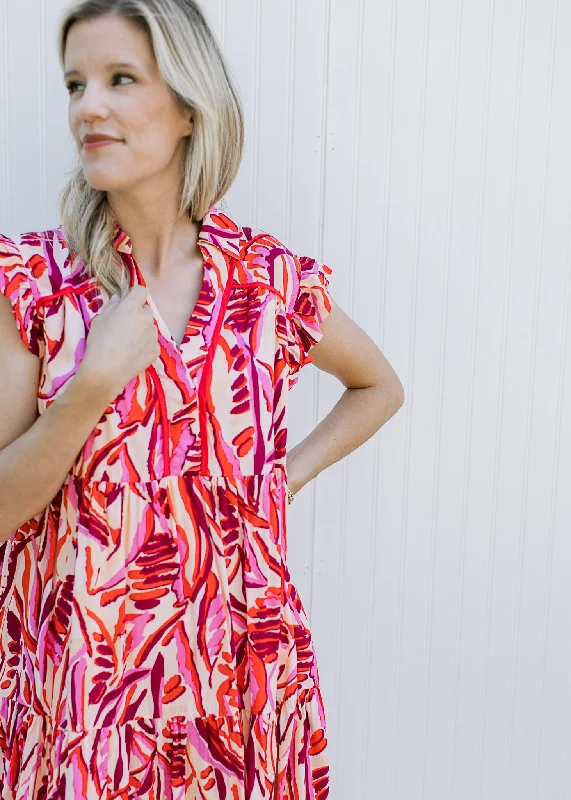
152	644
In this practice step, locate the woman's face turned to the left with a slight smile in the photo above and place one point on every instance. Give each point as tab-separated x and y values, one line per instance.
130	103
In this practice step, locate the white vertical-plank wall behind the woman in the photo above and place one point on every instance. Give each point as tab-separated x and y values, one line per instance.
421	149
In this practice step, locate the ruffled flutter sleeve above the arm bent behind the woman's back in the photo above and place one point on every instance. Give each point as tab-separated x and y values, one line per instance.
308	304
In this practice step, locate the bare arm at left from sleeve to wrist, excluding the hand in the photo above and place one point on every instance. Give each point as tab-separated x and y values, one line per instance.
37	453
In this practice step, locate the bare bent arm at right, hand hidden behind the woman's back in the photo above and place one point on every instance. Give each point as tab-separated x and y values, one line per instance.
372	396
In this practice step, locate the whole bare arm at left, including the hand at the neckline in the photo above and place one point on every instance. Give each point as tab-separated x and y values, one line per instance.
37	453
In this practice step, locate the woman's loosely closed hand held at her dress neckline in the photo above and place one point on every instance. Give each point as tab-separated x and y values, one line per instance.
122	342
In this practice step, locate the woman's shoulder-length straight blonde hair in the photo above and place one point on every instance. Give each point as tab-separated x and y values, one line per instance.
193	65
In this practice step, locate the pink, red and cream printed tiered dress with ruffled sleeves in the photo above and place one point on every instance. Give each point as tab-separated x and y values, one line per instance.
152	644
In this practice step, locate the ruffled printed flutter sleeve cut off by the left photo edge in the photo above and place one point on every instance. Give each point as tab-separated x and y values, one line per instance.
18	285
